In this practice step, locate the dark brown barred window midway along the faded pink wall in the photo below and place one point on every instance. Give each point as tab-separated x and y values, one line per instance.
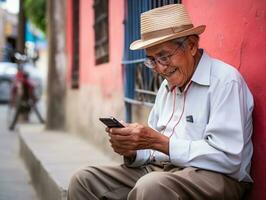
101	31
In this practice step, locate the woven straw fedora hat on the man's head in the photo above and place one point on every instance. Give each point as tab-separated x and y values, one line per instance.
163	24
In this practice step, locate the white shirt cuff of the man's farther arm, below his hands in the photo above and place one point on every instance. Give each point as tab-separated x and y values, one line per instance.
141	158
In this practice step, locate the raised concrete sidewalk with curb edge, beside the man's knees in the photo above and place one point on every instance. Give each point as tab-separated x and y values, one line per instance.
53	157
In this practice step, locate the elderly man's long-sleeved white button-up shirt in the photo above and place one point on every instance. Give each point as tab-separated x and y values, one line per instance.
210	121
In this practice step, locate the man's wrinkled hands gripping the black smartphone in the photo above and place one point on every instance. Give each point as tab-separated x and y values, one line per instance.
125	141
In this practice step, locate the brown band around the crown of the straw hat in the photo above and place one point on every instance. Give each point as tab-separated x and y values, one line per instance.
164	32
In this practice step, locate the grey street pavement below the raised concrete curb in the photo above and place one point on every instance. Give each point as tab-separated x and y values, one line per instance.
15	183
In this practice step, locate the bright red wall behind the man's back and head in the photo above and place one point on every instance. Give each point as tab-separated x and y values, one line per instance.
236	33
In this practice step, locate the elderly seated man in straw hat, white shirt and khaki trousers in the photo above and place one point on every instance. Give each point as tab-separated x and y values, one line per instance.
198	143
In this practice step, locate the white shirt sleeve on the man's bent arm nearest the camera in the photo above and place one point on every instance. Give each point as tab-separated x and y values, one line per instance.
223	141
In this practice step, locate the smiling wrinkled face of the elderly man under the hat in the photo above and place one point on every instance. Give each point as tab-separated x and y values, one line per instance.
180	68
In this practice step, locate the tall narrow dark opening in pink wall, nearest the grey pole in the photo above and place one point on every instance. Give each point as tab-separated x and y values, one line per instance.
75	40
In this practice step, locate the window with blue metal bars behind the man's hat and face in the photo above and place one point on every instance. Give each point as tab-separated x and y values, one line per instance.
141	84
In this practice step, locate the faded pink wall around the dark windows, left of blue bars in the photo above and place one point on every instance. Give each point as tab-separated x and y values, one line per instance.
106	76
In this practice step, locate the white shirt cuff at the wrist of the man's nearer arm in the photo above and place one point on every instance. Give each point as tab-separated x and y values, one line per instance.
178	151
